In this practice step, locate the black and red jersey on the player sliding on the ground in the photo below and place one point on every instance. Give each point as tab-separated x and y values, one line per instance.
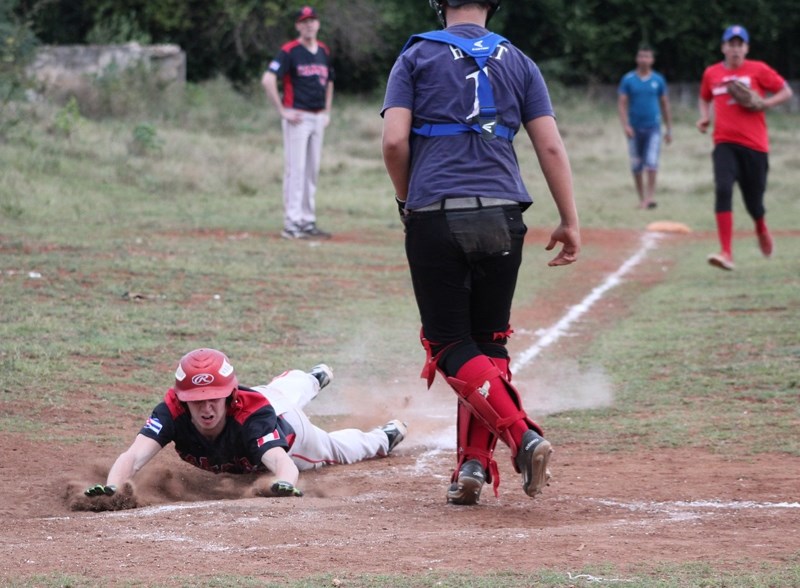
251	428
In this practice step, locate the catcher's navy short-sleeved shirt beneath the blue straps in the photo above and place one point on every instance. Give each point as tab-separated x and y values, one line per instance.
469	165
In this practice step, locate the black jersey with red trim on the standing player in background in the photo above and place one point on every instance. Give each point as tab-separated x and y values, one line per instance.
305	75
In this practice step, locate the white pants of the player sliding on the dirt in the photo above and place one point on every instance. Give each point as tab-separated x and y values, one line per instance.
314	447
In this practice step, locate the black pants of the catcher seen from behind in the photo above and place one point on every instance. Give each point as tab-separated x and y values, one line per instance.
464	266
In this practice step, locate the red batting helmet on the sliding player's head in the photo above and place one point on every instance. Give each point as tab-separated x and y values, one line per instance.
204	374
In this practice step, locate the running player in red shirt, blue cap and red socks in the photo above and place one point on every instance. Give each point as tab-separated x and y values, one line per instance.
740	90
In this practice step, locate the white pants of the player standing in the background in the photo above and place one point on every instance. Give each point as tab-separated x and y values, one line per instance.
302	154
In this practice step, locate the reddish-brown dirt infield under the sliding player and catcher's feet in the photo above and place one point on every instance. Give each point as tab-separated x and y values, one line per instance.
389	515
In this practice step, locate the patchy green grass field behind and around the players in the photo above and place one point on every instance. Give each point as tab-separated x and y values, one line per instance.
126	242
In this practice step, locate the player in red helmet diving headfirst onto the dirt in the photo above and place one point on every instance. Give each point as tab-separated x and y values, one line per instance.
219	426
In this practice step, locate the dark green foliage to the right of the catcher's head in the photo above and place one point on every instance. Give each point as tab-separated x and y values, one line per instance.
581	41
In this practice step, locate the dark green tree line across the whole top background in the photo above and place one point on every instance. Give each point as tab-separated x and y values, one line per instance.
573	41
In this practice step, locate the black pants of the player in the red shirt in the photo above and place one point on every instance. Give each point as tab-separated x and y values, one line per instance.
737	164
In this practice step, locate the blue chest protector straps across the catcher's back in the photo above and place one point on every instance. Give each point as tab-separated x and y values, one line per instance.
485	124
